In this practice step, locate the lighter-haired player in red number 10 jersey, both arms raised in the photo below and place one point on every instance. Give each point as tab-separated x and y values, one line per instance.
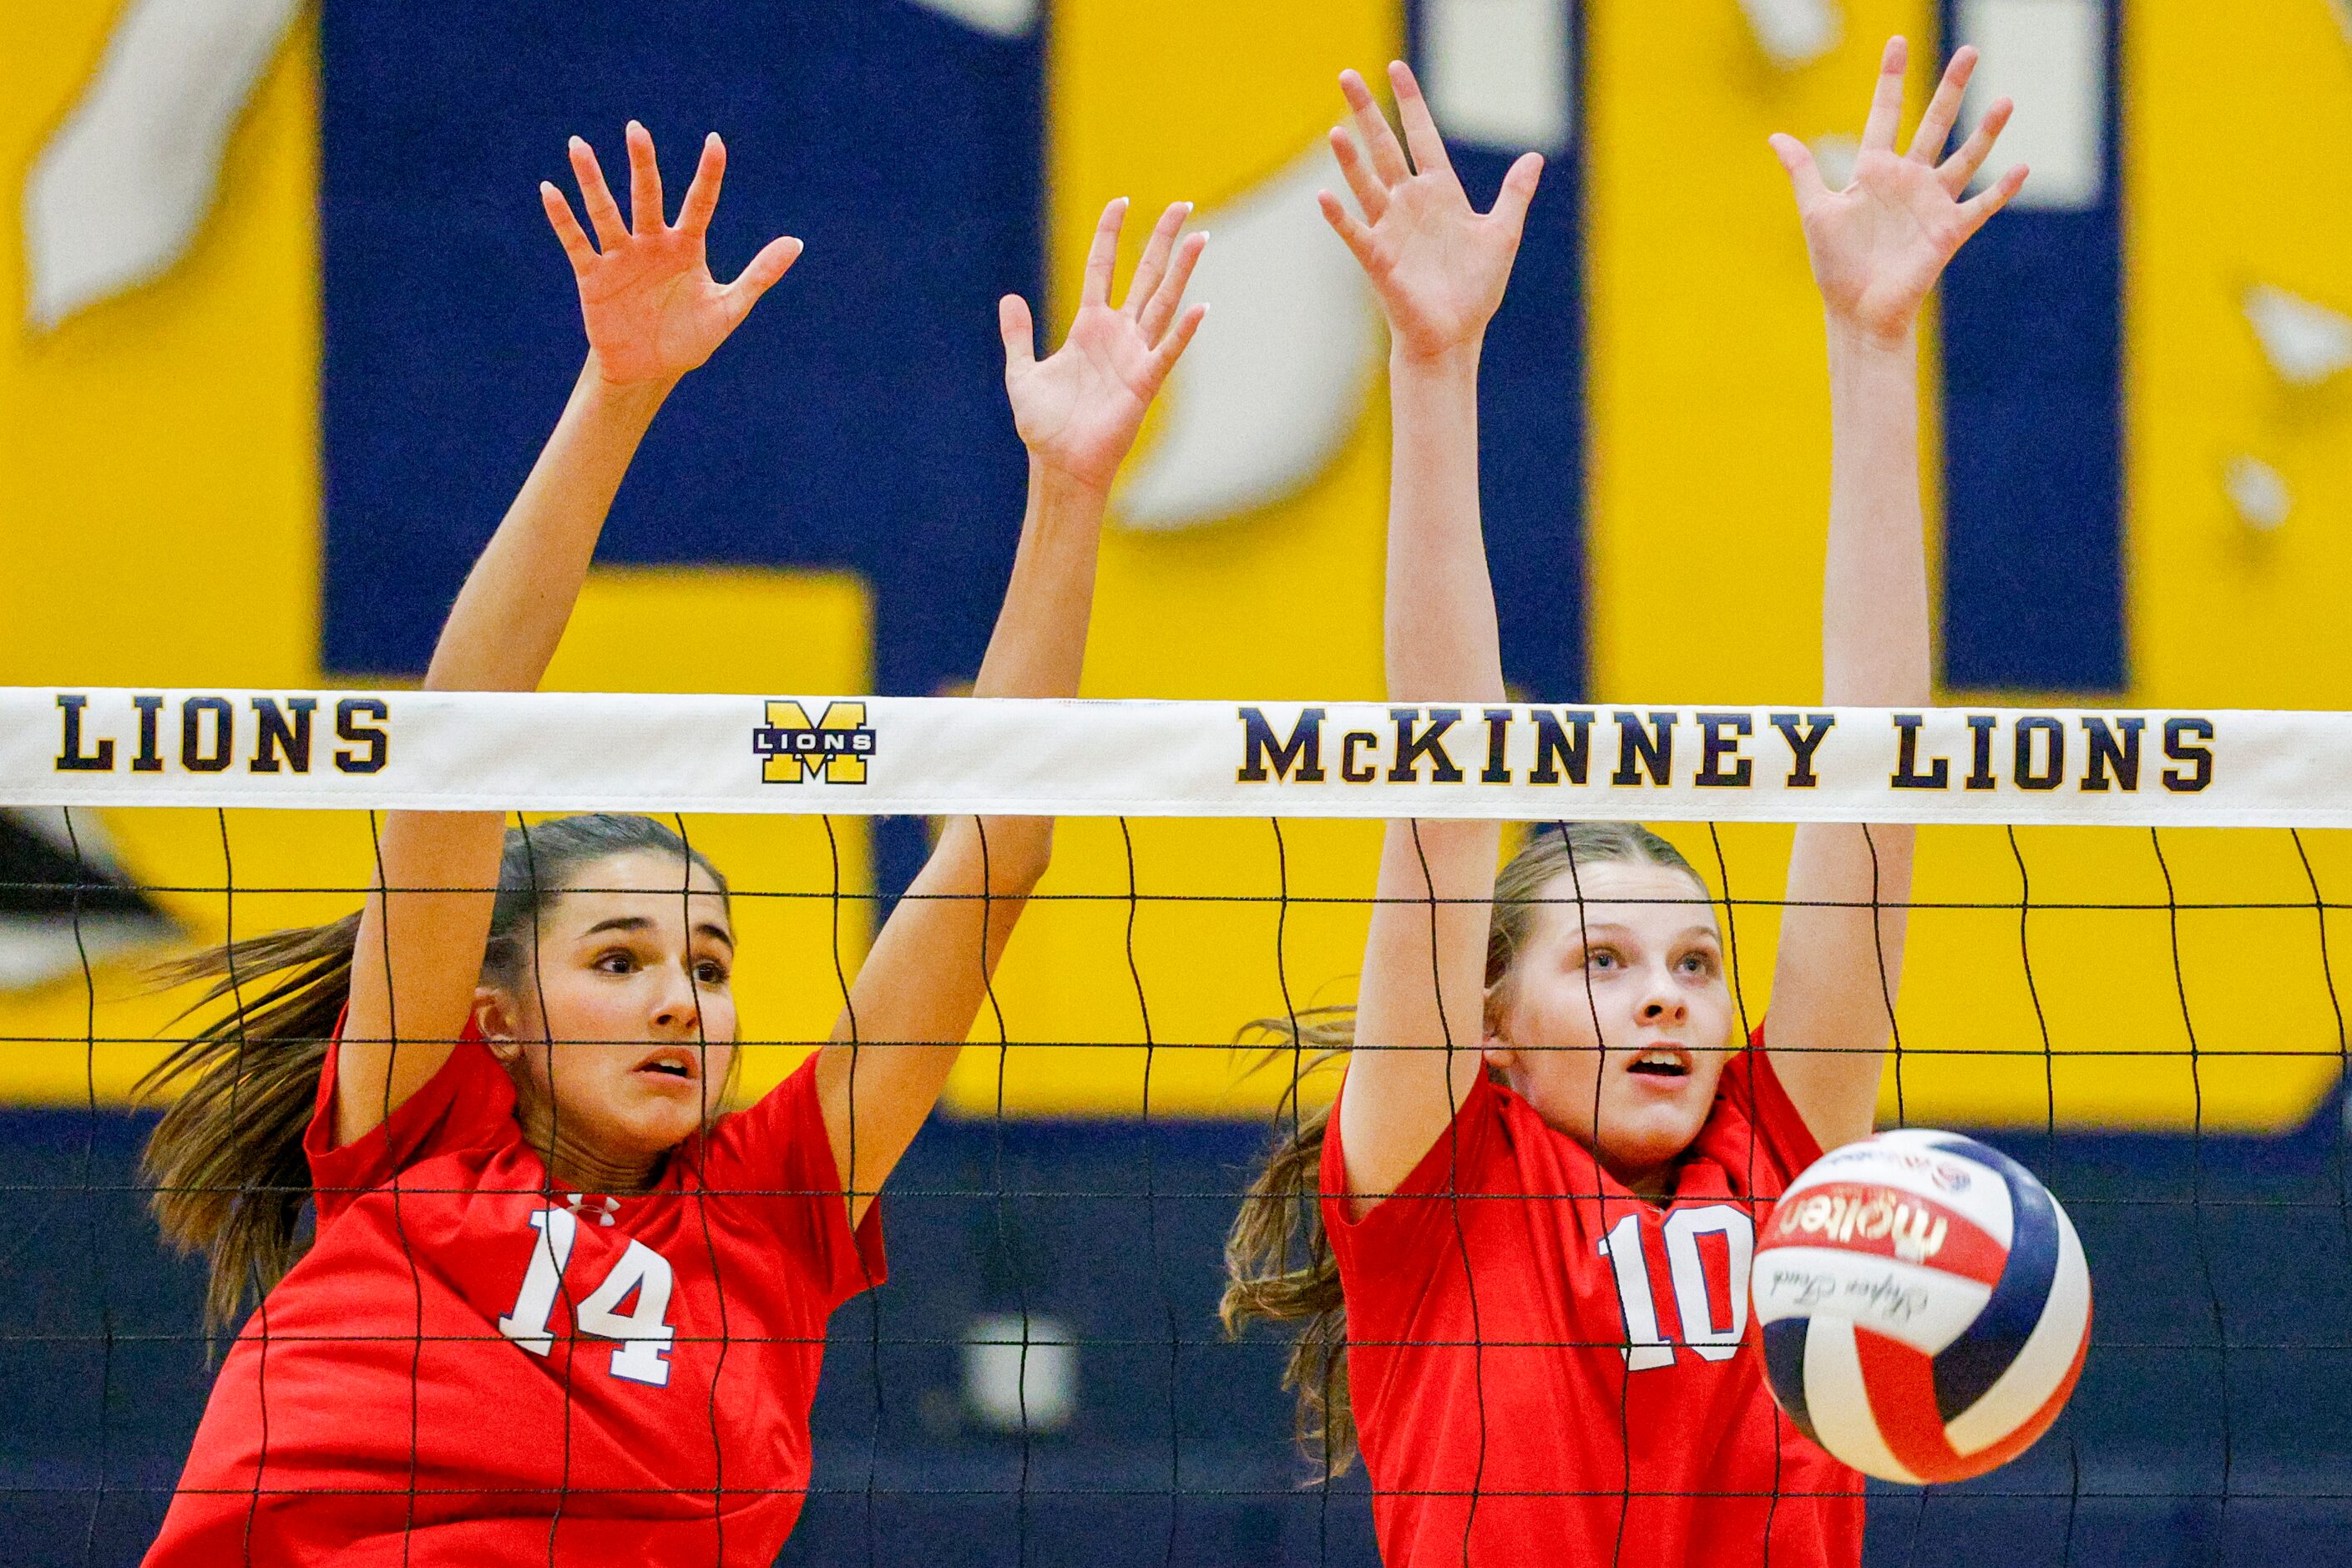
1532	1209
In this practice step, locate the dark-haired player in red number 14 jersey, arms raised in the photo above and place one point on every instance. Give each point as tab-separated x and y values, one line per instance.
559	1311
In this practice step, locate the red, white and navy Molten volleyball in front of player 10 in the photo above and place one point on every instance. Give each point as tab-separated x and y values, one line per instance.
1925	1306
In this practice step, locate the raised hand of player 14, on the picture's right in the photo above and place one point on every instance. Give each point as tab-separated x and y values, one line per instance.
1081	408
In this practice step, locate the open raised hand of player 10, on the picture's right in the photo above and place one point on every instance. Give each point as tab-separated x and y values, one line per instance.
1883	243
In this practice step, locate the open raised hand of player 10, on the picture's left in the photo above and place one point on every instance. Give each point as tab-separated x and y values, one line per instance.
1436	262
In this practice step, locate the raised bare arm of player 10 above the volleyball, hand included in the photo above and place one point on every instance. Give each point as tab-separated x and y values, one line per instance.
1878	248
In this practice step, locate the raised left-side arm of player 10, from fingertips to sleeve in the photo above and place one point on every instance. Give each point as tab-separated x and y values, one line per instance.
1438	269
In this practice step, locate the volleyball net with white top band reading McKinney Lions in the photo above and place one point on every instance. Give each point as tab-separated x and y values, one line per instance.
2123	972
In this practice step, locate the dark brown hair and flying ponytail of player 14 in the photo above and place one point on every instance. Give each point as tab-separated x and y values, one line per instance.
227	1160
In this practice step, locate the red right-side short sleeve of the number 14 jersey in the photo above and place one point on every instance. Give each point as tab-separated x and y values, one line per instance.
782	1153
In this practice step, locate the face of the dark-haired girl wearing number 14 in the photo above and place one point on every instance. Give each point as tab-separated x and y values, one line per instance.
624	1031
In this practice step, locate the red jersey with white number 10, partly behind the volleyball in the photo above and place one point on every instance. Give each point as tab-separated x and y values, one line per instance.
1568	1374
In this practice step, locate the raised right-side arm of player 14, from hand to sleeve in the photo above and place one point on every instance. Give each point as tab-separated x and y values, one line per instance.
928	974
